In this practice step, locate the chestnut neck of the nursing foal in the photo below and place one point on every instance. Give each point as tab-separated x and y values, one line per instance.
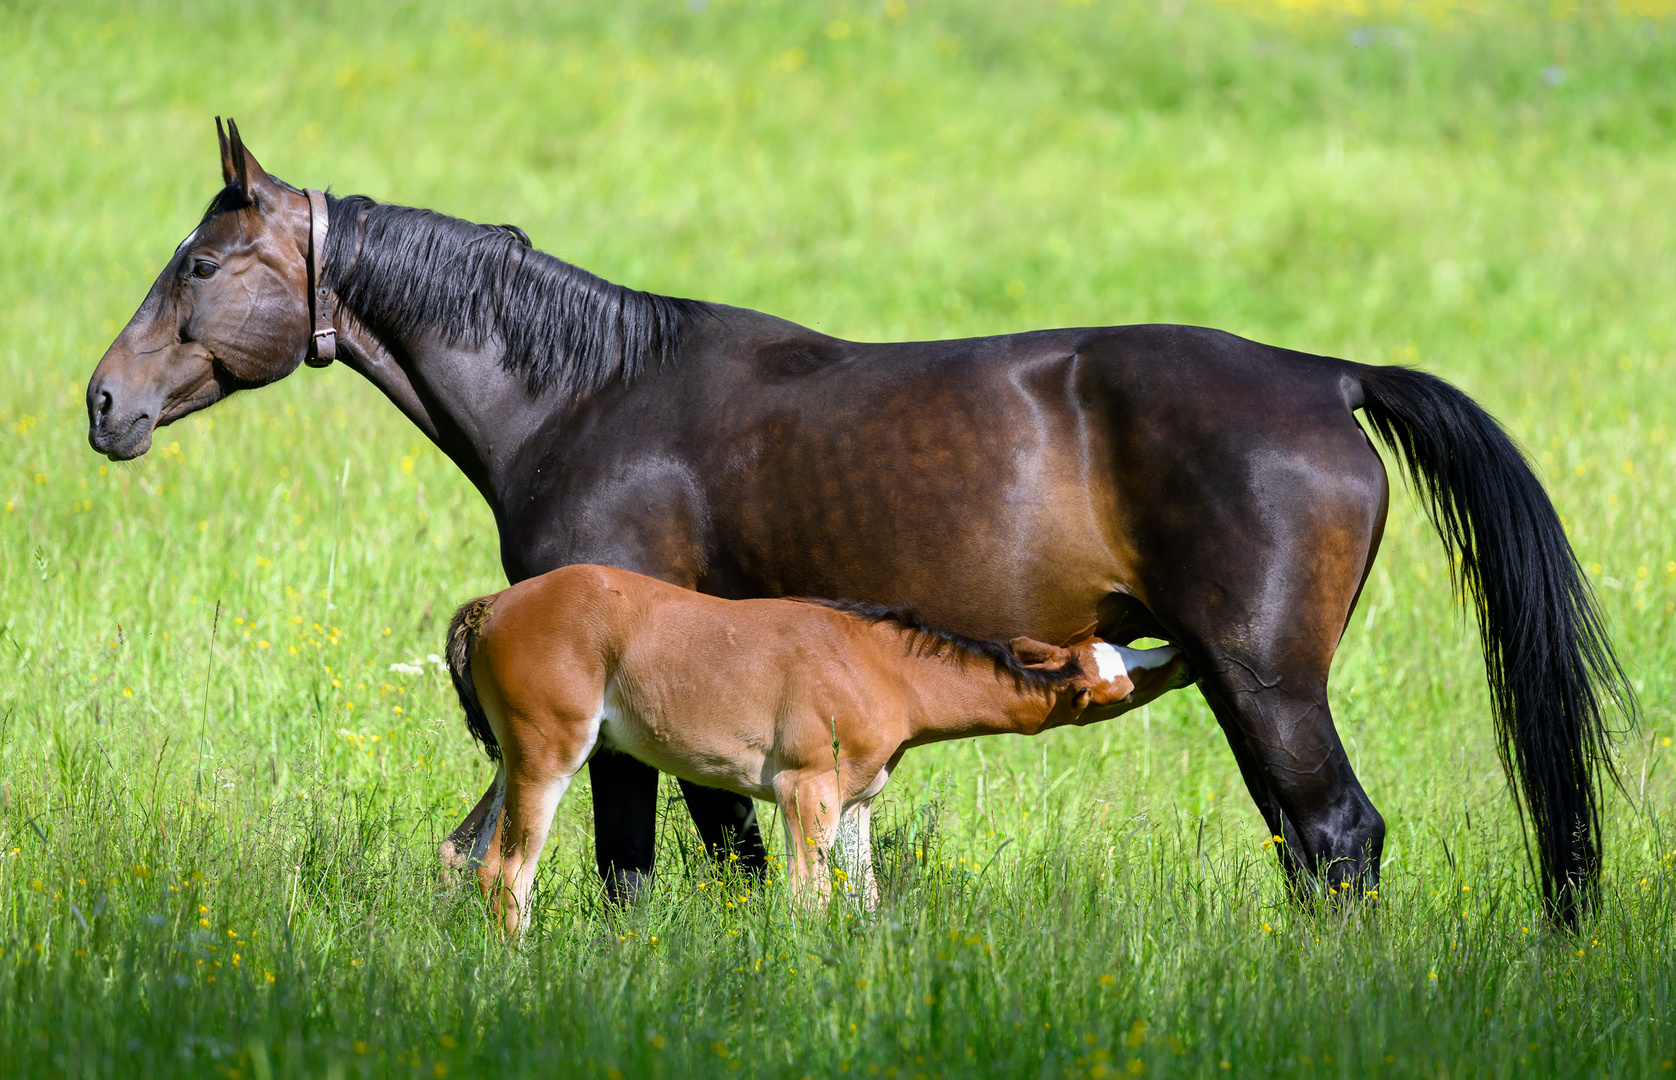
965	695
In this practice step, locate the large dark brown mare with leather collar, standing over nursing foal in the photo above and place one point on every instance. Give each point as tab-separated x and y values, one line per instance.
1125	482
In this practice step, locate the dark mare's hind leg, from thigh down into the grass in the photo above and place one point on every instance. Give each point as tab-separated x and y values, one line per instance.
1260	600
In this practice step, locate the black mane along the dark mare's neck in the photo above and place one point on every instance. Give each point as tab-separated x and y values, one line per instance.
406	271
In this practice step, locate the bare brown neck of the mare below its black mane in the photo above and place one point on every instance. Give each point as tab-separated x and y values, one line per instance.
462	400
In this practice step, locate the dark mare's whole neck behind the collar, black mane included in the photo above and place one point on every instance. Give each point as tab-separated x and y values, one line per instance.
482	390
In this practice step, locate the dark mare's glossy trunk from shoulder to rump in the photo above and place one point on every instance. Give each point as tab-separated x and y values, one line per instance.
1030	484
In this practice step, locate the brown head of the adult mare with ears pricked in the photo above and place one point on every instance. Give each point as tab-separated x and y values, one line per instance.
230	311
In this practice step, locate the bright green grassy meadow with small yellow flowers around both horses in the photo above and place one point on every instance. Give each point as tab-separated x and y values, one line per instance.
217	833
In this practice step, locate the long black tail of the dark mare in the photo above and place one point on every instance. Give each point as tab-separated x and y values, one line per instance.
1546	650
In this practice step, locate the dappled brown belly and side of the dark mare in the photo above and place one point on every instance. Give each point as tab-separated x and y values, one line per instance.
988	509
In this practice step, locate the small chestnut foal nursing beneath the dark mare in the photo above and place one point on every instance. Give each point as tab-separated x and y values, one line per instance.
809	704
